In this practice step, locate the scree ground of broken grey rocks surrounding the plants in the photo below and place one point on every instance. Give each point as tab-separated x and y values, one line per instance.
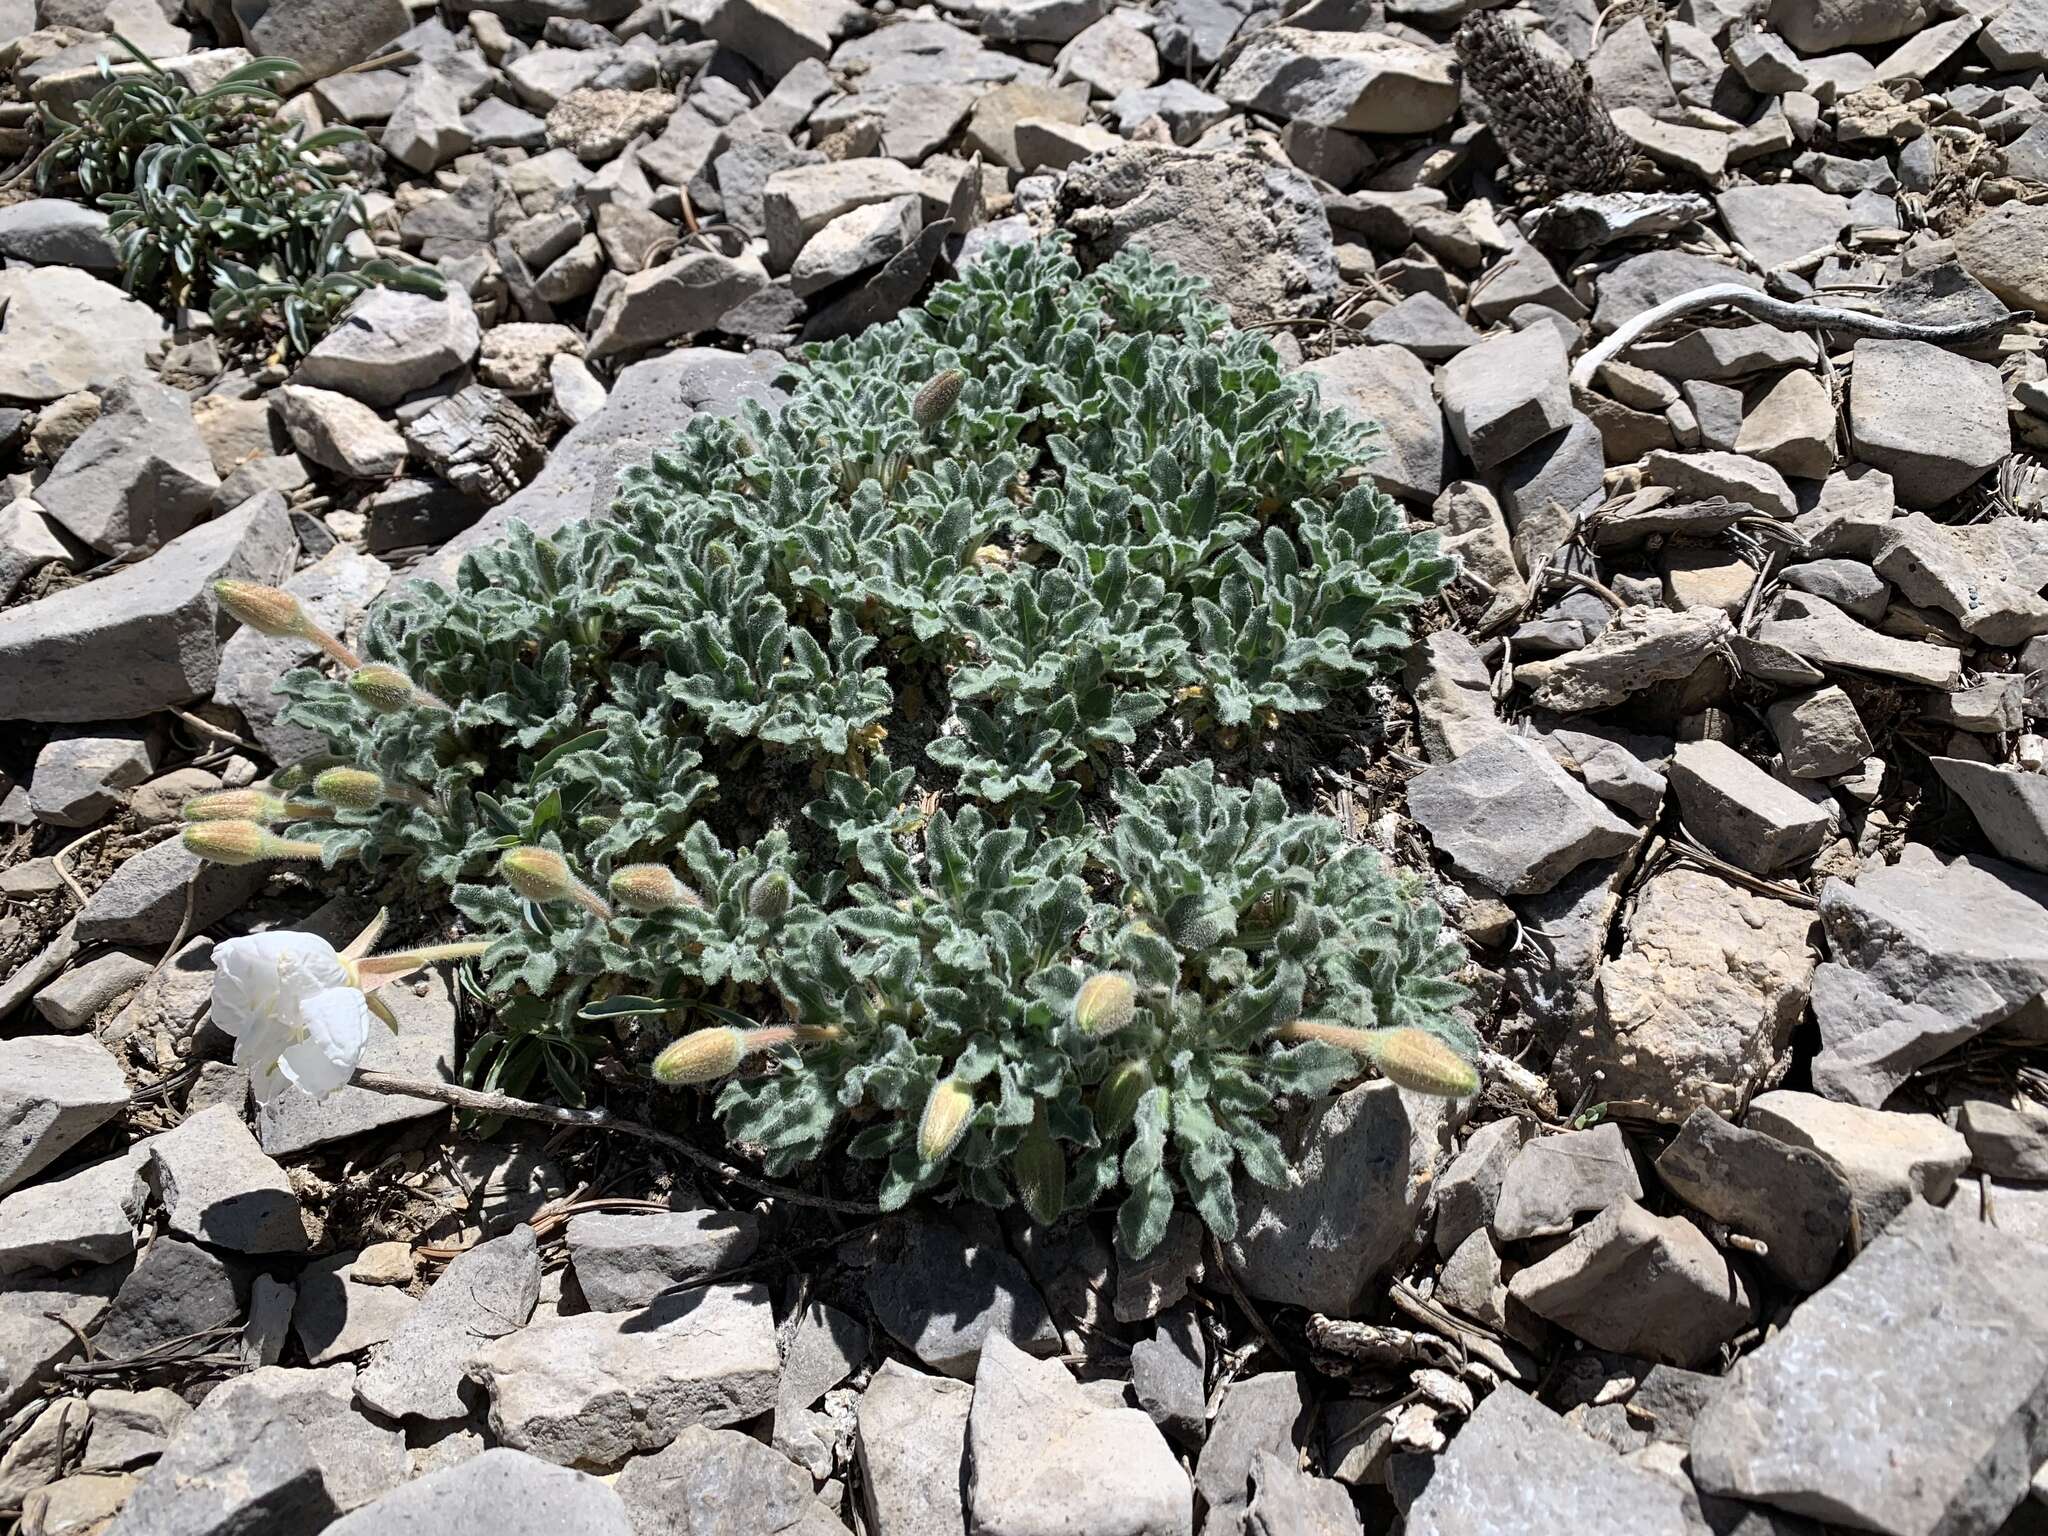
1723	749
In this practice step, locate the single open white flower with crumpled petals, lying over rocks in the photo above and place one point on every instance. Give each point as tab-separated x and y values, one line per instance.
294	1011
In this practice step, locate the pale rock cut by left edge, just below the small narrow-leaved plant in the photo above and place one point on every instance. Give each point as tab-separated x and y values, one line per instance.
65	331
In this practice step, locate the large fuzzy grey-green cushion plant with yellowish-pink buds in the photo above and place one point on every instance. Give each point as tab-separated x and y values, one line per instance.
892	761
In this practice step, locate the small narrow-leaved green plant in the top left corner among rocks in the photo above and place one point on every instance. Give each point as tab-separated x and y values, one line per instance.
212	200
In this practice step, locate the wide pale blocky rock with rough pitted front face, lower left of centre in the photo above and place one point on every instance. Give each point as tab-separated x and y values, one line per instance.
599	1388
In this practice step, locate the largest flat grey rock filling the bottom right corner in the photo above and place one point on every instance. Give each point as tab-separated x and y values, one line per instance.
1906	1398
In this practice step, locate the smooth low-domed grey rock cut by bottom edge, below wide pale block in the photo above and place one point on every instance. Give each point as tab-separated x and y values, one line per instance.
499	1490
